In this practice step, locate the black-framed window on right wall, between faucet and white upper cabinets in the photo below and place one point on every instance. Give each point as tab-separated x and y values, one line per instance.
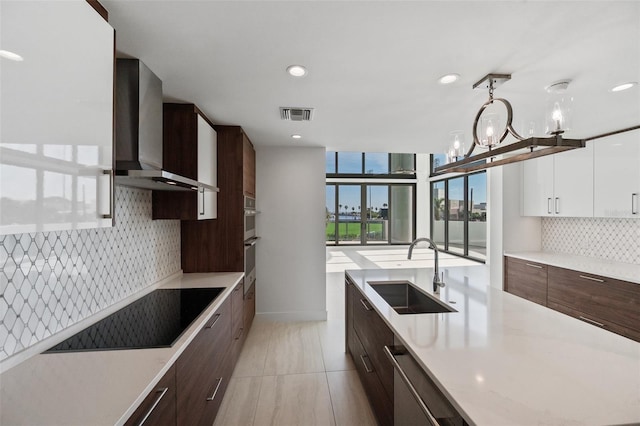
459	215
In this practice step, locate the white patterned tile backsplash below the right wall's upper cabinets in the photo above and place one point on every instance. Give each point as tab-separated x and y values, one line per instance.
613	239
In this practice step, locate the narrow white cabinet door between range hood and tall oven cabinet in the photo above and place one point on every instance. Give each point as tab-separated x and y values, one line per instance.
207	170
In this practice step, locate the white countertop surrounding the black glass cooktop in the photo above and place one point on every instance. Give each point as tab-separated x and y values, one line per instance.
98	388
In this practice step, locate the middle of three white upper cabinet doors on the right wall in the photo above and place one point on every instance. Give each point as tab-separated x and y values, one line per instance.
573	182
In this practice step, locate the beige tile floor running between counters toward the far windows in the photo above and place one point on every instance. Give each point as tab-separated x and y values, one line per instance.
297	373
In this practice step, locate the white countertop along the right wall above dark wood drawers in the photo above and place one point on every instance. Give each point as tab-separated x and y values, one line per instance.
591	265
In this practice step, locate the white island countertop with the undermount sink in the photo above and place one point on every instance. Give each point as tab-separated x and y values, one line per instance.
506	361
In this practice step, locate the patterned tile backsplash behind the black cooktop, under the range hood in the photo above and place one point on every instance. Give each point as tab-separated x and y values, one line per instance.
51	280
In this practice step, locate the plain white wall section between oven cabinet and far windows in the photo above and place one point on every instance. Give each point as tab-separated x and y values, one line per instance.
290	257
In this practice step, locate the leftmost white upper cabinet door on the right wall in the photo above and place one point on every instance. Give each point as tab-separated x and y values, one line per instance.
537	187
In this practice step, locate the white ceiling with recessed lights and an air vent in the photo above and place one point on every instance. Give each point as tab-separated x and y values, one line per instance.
373	65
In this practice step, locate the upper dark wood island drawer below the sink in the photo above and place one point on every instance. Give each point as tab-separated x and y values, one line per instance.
374	334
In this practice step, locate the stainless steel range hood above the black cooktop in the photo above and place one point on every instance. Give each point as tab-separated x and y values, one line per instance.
139	131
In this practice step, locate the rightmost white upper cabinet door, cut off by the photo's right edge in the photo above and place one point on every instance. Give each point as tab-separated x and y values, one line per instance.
617	176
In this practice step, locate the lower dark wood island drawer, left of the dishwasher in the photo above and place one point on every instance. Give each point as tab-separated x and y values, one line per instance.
381	402
